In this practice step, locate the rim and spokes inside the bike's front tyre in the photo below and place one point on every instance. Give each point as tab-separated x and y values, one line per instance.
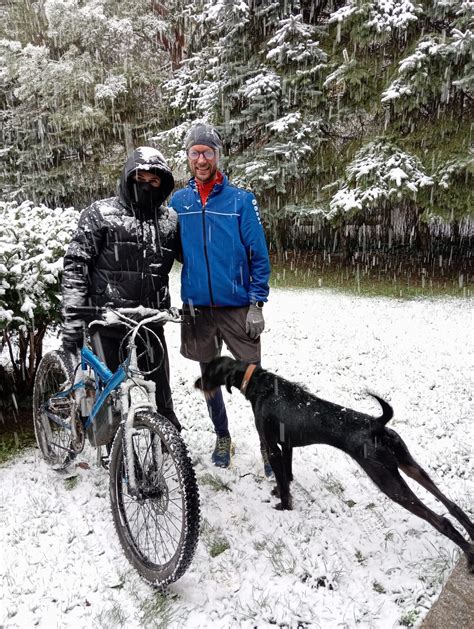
155	522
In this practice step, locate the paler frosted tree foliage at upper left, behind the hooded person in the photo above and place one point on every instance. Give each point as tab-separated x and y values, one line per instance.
80	85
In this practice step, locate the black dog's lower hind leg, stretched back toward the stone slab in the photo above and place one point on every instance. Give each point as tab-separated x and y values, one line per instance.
389	481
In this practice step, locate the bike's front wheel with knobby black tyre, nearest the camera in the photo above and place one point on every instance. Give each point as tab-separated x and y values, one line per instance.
158	522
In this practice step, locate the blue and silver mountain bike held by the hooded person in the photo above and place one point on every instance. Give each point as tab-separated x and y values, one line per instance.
153	491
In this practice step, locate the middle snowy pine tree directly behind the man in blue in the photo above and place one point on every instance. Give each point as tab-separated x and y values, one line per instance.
254	70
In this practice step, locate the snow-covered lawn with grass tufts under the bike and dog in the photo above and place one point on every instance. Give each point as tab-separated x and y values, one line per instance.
345	557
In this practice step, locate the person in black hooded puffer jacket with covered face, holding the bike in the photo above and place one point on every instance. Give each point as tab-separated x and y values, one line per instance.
122	253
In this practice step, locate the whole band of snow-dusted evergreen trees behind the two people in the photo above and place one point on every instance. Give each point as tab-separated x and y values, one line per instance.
299	88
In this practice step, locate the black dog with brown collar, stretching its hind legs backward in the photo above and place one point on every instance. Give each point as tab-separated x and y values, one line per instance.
288	416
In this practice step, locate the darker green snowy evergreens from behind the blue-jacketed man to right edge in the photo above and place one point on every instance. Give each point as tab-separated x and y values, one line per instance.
303	91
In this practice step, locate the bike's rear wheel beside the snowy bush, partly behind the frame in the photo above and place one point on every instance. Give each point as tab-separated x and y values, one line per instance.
52	412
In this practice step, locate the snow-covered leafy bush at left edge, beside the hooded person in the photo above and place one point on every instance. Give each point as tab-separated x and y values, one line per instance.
32	244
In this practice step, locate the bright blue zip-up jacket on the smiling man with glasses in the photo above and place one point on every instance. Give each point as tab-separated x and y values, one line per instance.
225	256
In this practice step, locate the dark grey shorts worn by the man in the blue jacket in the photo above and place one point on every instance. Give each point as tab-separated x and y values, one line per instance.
202	335
